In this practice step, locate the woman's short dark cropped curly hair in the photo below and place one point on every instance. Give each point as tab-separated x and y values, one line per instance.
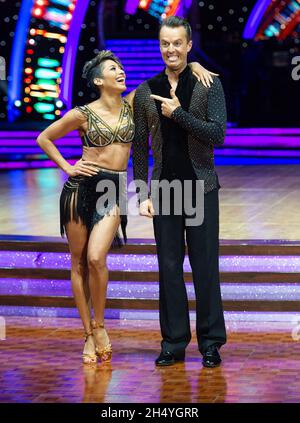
94	68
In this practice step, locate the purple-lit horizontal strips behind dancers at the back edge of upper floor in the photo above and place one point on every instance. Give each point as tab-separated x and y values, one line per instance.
254	146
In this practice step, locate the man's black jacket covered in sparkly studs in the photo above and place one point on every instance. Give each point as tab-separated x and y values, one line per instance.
205	123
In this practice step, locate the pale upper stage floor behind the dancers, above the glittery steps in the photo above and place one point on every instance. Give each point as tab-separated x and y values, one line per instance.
256	202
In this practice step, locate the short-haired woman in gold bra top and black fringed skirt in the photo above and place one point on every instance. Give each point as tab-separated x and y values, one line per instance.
106	128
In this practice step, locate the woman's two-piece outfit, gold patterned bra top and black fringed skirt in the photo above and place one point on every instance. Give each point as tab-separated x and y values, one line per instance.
80	199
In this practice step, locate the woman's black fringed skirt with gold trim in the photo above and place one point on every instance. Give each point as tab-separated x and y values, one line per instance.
87	199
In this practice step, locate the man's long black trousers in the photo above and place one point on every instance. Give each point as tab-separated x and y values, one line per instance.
203	250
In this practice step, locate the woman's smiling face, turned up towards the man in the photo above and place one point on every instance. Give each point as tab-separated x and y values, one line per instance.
113	77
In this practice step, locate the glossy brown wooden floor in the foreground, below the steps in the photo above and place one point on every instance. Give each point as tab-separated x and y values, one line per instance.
40	362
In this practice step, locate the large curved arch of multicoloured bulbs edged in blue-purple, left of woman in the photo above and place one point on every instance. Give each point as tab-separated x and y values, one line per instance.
43	58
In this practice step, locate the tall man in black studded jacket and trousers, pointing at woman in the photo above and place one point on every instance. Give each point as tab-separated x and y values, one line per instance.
185	120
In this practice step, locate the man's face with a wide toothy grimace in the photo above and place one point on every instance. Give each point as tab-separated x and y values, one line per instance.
174	47
